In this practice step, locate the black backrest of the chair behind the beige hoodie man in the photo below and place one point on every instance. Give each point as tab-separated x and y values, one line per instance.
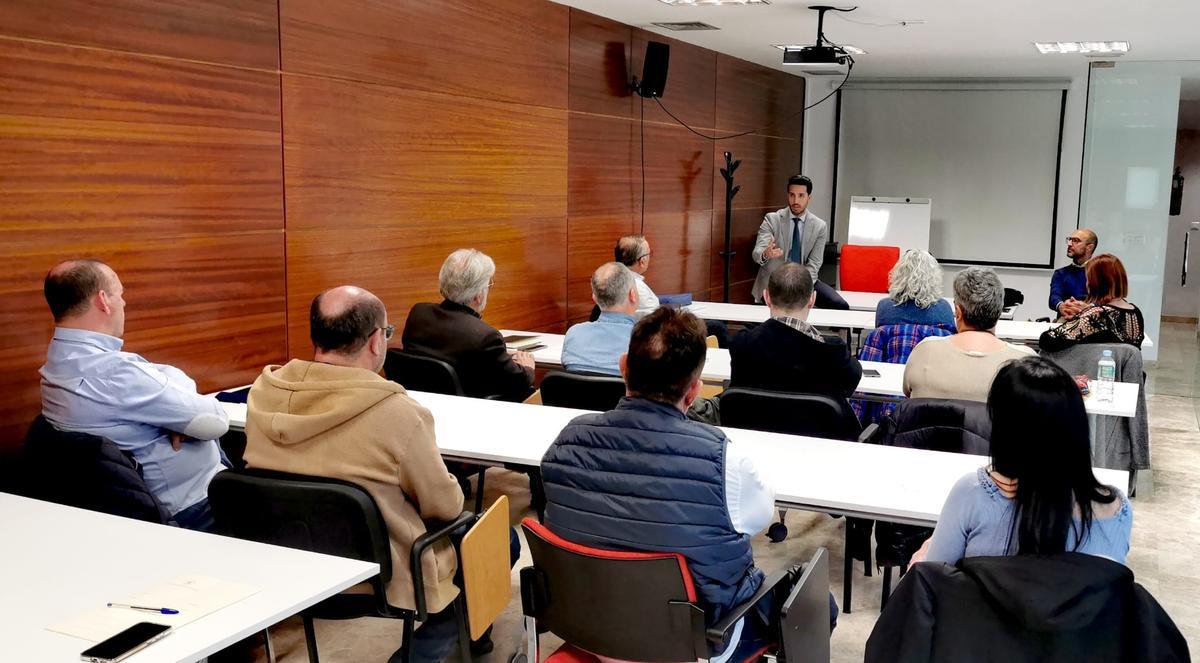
298	511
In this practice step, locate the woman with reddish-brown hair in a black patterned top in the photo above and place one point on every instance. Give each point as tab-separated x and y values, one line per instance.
1108	318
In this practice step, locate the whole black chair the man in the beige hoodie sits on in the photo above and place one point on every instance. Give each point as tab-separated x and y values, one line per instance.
331	517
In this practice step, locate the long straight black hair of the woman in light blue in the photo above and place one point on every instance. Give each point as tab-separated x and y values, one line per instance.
1040	437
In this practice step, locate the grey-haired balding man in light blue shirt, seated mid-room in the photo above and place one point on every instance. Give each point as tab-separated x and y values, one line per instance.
597	347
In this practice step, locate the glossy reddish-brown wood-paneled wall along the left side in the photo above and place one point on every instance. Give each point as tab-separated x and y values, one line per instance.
233	158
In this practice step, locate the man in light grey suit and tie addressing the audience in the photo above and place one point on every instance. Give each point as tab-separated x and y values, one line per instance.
777	243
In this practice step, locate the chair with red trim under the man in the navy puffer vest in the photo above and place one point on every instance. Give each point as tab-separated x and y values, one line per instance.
644	607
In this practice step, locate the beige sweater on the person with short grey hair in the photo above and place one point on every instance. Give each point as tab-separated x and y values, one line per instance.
939	371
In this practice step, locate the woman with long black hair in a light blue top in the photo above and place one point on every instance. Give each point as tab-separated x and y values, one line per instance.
1039	497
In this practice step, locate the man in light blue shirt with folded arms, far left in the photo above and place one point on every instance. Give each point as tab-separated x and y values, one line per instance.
152	411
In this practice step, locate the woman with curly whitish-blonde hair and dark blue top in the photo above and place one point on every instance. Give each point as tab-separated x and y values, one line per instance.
915	294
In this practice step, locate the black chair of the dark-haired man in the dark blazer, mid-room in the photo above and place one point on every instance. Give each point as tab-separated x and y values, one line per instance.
813	415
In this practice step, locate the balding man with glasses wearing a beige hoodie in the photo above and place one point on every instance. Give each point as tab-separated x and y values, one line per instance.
337	417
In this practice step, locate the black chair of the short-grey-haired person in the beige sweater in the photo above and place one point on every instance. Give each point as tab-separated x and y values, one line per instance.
951	426
